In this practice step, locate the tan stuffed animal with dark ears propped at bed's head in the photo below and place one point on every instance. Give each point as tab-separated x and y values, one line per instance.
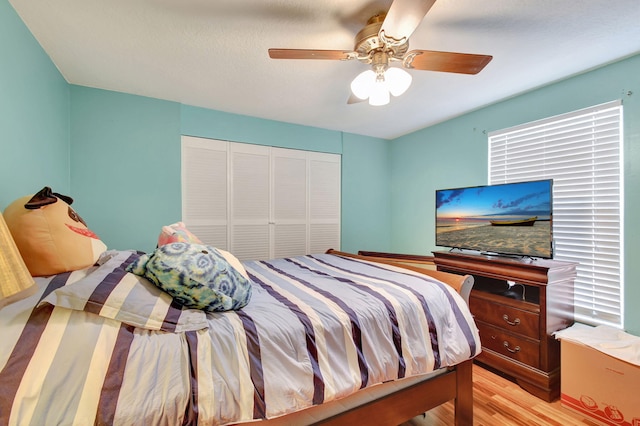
51	236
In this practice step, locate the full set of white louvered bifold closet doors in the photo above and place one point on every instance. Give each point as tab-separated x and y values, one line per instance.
260	202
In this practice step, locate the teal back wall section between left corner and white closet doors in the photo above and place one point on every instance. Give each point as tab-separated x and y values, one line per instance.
125	165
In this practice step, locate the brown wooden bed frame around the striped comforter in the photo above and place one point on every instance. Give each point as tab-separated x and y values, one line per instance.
393	409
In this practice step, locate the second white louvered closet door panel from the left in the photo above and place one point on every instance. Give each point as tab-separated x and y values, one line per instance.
250	201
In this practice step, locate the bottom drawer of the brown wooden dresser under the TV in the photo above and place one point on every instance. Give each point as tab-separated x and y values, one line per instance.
510	345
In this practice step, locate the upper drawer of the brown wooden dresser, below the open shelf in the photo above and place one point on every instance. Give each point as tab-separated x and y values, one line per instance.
515	320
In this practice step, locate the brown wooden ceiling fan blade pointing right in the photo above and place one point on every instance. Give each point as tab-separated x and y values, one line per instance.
430	60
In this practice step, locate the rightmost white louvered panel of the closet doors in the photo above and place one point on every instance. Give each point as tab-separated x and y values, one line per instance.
324	202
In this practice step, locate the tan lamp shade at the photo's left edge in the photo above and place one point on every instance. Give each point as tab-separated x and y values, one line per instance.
15	280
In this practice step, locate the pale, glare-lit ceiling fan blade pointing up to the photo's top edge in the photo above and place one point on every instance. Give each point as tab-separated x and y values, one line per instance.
402	19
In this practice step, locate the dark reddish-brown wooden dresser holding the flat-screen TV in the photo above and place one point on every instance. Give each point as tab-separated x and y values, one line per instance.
516	328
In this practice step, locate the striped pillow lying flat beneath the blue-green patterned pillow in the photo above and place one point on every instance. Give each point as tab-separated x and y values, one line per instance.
113	293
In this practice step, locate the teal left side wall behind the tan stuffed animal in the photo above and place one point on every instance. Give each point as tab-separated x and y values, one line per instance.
34	114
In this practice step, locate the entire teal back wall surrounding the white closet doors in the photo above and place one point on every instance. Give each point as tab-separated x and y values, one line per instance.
125	165
